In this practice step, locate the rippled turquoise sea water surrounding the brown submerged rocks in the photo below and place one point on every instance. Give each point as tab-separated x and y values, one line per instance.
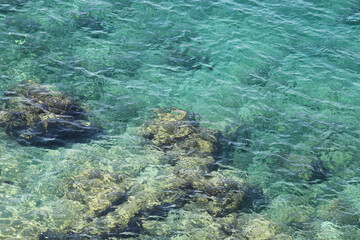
280	79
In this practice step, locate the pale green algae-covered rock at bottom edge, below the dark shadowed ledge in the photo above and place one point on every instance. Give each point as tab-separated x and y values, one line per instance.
197	224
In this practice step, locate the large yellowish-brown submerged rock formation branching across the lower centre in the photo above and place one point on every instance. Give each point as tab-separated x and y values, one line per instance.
118	206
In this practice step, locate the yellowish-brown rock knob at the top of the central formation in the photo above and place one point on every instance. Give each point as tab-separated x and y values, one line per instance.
179	135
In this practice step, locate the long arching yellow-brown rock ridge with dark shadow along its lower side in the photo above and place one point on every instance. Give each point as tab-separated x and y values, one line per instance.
216	194
